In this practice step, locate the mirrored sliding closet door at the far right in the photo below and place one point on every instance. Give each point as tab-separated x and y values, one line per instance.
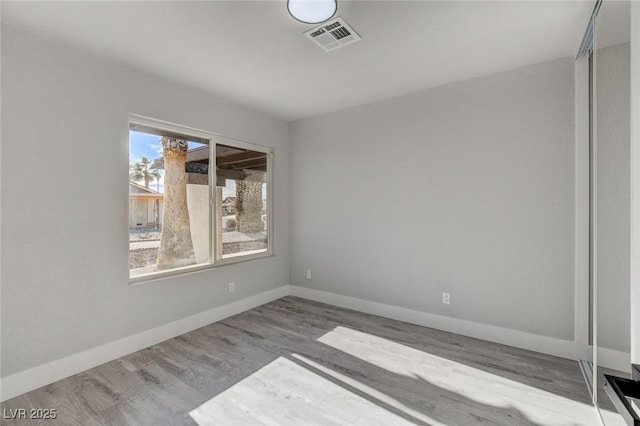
610	194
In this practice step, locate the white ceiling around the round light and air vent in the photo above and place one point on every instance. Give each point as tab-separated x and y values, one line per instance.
256	54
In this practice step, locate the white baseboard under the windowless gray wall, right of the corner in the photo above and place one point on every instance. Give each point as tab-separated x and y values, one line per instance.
505	336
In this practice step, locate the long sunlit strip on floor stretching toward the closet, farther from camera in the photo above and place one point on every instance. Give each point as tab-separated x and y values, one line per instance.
537	405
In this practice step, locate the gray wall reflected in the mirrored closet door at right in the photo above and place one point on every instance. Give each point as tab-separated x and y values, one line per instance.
613	85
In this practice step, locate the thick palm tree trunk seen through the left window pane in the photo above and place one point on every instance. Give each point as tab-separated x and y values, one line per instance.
176	245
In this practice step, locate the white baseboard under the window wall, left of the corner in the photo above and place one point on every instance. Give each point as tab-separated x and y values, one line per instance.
36	377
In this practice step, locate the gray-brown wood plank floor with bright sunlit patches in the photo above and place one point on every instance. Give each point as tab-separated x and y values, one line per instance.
293	361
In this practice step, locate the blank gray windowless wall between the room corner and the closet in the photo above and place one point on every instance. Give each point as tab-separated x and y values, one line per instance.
466	188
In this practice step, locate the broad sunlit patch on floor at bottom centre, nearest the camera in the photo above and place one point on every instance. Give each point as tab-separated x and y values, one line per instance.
285	393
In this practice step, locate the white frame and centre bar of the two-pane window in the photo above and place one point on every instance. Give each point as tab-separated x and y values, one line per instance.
213	140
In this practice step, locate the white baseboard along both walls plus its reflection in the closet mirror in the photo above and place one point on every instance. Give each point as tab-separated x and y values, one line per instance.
36	377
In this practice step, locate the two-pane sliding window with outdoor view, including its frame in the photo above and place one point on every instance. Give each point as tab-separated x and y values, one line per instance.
195	199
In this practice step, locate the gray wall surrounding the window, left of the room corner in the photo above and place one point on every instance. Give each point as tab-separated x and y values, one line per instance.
64	202
